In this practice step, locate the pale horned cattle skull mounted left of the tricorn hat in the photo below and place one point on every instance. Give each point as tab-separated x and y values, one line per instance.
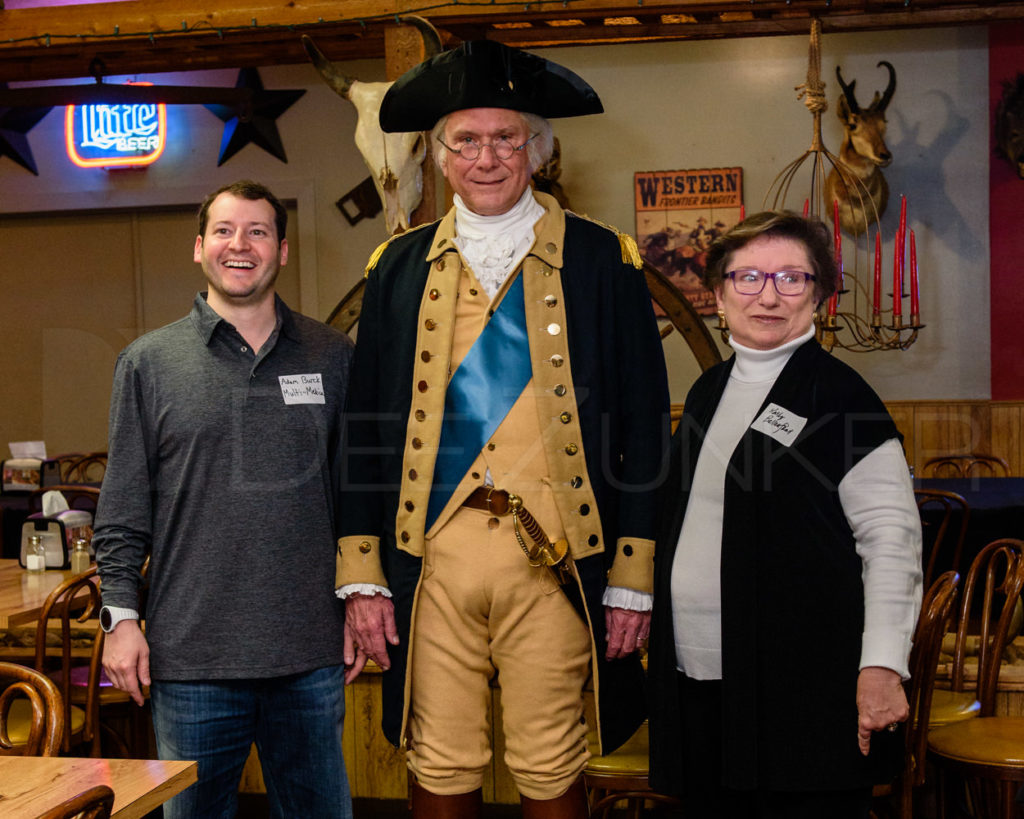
395	160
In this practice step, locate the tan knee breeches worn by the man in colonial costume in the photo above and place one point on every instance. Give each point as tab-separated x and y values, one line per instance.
483	609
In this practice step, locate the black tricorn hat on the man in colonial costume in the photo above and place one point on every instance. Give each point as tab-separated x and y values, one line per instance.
484	74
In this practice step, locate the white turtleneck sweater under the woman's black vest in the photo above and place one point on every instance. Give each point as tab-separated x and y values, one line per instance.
877	497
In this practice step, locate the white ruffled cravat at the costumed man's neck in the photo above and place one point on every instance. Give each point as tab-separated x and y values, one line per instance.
495	245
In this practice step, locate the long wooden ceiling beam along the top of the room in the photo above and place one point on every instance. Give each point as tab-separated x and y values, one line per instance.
155	36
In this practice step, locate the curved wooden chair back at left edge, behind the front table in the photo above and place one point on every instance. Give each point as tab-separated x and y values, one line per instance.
47	721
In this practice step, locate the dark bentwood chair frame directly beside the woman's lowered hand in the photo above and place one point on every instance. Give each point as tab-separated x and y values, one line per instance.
936	610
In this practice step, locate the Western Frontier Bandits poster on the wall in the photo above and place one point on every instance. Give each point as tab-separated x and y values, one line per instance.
679	214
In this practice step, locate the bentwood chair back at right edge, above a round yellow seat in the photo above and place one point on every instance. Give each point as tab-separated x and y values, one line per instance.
988	606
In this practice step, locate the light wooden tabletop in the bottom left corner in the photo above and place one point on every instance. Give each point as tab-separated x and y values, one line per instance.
30	786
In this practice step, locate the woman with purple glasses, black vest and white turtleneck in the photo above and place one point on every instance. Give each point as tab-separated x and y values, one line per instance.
788	571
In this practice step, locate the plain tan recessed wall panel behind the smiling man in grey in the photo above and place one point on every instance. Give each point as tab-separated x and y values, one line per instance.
76	289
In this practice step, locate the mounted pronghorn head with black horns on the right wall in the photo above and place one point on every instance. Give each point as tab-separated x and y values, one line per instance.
858	184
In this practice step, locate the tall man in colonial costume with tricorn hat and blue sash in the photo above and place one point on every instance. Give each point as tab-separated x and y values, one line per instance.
507	416
